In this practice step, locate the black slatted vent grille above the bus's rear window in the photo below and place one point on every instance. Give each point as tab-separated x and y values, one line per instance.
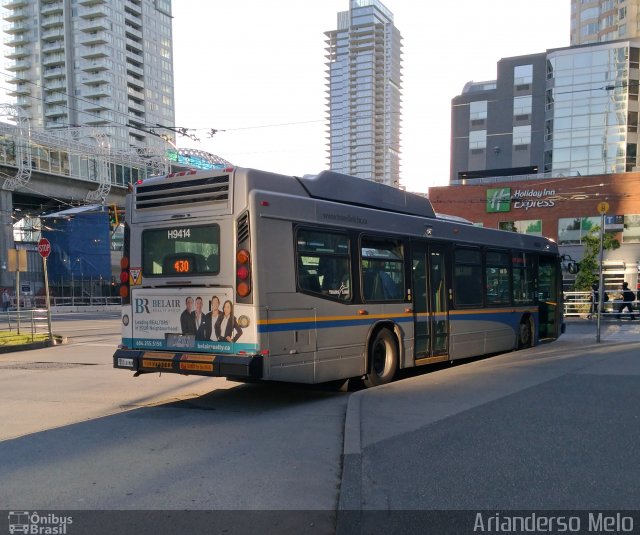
209	190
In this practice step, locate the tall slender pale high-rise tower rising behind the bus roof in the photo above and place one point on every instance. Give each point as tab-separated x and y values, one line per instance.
364	93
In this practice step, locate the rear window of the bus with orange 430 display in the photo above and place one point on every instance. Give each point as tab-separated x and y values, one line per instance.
181	250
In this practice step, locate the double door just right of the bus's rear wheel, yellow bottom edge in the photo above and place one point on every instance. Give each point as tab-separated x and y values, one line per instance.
430	304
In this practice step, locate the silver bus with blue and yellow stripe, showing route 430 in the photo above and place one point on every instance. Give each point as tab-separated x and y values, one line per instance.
253	275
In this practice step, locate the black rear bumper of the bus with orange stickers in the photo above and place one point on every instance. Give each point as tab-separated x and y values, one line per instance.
141	361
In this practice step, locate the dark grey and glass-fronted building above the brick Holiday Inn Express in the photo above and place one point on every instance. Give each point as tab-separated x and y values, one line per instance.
566	112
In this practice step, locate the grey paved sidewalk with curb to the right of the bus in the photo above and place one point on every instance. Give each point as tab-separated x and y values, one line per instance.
551	427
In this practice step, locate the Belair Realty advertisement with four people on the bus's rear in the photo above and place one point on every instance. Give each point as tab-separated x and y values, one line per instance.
184	319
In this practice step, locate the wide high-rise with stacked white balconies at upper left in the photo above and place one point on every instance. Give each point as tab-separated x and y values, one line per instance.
101	63
